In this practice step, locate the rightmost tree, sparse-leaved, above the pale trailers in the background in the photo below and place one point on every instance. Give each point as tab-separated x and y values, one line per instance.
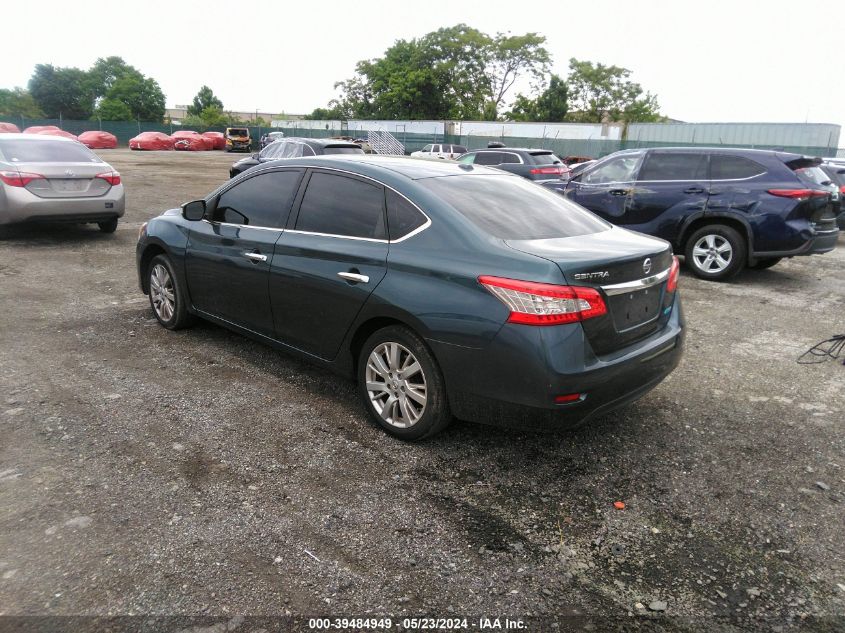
598	92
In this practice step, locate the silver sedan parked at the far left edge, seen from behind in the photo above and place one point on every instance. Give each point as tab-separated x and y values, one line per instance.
50	178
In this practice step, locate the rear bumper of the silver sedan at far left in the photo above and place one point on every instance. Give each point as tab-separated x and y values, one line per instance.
17	205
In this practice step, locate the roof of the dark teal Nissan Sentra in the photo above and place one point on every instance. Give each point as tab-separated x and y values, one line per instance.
375	165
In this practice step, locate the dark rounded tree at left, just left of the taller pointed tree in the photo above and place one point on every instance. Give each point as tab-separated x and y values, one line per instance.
61	92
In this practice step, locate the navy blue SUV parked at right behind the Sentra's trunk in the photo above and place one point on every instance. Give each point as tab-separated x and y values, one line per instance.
723	208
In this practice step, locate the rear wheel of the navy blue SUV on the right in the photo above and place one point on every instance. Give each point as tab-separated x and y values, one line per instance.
715	252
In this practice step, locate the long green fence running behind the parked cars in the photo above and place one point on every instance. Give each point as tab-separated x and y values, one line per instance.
124	130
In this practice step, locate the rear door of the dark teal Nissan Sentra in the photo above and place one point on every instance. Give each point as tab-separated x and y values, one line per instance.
328	262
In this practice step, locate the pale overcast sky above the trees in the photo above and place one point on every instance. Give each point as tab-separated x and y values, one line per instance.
738	60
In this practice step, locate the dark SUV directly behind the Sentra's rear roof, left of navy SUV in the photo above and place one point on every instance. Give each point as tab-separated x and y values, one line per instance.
540	165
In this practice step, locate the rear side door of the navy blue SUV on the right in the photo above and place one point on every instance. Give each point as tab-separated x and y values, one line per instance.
670	187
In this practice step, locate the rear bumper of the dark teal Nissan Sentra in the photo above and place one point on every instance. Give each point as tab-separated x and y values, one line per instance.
513	382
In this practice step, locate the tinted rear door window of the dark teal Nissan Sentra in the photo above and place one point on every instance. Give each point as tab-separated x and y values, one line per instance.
338	205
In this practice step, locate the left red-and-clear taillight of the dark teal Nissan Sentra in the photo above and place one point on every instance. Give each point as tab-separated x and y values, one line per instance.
533	303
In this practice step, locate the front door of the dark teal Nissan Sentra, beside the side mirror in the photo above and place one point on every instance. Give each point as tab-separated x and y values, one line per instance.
228	255
